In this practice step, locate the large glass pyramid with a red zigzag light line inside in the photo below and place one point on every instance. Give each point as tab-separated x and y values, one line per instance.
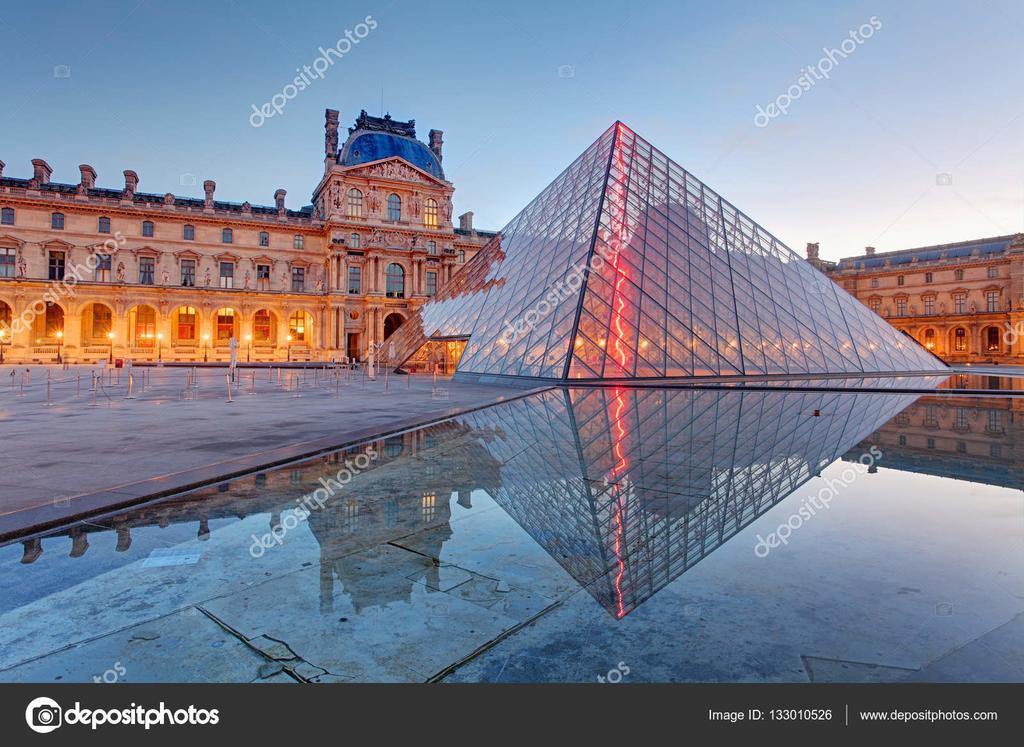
627	267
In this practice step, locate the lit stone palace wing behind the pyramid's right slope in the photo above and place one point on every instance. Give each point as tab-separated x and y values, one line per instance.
964	302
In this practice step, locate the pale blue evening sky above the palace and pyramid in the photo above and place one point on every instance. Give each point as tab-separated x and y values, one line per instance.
909	136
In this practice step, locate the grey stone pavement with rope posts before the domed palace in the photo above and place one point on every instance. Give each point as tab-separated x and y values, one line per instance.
90	450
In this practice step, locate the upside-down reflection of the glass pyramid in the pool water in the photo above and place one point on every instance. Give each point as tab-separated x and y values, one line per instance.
629	488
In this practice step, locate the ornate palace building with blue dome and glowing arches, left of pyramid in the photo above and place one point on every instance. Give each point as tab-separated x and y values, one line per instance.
90	273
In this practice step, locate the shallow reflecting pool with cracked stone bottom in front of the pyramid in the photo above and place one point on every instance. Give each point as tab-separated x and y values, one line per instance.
686	534
